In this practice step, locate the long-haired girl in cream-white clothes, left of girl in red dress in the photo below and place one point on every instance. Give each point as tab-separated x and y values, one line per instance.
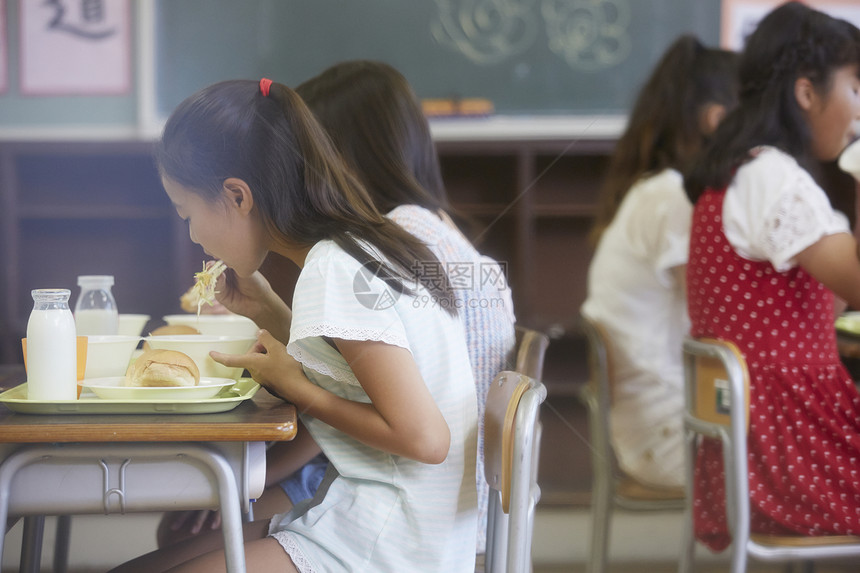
635	280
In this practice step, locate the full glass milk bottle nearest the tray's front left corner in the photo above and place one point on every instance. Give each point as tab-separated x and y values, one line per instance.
51	347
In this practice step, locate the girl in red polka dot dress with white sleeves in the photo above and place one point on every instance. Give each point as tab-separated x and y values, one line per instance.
767	255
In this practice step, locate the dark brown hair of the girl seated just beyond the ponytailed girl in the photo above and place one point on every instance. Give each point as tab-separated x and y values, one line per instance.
375	121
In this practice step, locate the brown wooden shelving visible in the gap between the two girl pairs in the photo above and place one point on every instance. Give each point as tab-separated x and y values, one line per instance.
533	204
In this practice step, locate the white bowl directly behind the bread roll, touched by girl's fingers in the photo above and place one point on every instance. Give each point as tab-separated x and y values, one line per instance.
197	346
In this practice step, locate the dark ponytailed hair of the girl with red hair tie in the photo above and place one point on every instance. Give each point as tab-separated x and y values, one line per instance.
301	186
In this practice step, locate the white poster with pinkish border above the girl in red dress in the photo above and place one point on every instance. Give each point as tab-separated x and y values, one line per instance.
740	17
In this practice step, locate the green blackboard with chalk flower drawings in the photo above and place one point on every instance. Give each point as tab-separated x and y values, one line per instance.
529	57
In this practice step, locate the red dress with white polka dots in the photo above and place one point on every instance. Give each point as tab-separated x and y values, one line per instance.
804	435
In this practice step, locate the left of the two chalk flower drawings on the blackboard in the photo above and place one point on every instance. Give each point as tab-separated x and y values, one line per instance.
486	31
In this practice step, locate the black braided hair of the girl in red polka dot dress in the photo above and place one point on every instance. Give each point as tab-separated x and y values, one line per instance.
790	42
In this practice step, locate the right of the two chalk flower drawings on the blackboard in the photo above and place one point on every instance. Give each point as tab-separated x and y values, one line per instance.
590	35
